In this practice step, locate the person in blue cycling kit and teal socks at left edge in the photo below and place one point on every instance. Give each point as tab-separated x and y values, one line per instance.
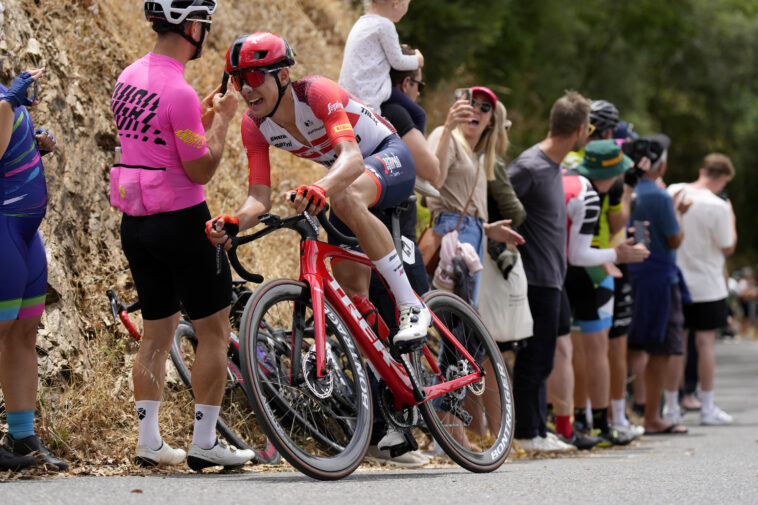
23	268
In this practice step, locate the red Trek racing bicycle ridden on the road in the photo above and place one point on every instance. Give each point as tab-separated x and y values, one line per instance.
299	352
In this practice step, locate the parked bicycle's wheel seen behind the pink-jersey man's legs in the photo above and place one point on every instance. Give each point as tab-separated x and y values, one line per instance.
236	421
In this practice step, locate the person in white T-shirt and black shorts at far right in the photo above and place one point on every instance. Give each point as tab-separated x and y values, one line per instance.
710	236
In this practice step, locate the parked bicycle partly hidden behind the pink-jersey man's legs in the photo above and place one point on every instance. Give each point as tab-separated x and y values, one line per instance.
236	421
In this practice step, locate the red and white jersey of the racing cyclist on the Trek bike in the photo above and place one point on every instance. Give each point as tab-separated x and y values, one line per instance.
325	114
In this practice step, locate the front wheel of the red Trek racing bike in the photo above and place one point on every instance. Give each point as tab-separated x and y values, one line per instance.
320	425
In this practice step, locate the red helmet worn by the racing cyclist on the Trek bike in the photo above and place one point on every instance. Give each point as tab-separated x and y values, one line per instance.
259	51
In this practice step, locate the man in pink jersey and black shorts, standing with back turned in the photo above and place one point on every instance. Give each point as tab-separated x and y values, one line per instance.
169	152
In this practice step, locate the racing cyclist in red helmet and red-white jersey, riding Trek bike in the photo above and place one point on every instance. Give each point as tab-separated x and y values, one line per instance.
371	168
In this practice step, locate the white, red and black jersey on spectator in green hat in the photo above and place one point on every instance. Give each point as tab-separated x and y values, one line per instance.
582	211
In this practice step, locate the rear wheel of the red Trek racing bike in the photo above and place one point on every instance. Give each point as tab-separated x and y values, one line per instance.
474	424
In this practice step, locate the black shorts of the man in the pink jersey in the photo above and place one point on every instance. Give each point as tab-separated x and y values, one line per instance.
172	261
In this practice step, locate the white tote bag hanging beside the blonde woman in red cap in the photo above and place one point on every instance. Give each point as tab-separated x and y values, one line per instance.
503	304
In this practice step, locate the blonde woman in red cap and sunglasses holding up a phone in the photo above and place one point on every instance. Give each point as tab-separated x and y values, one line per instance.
467	146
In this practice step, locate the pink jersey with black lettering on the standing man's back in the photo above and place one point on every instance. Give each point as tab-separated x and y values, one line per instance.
158	119
